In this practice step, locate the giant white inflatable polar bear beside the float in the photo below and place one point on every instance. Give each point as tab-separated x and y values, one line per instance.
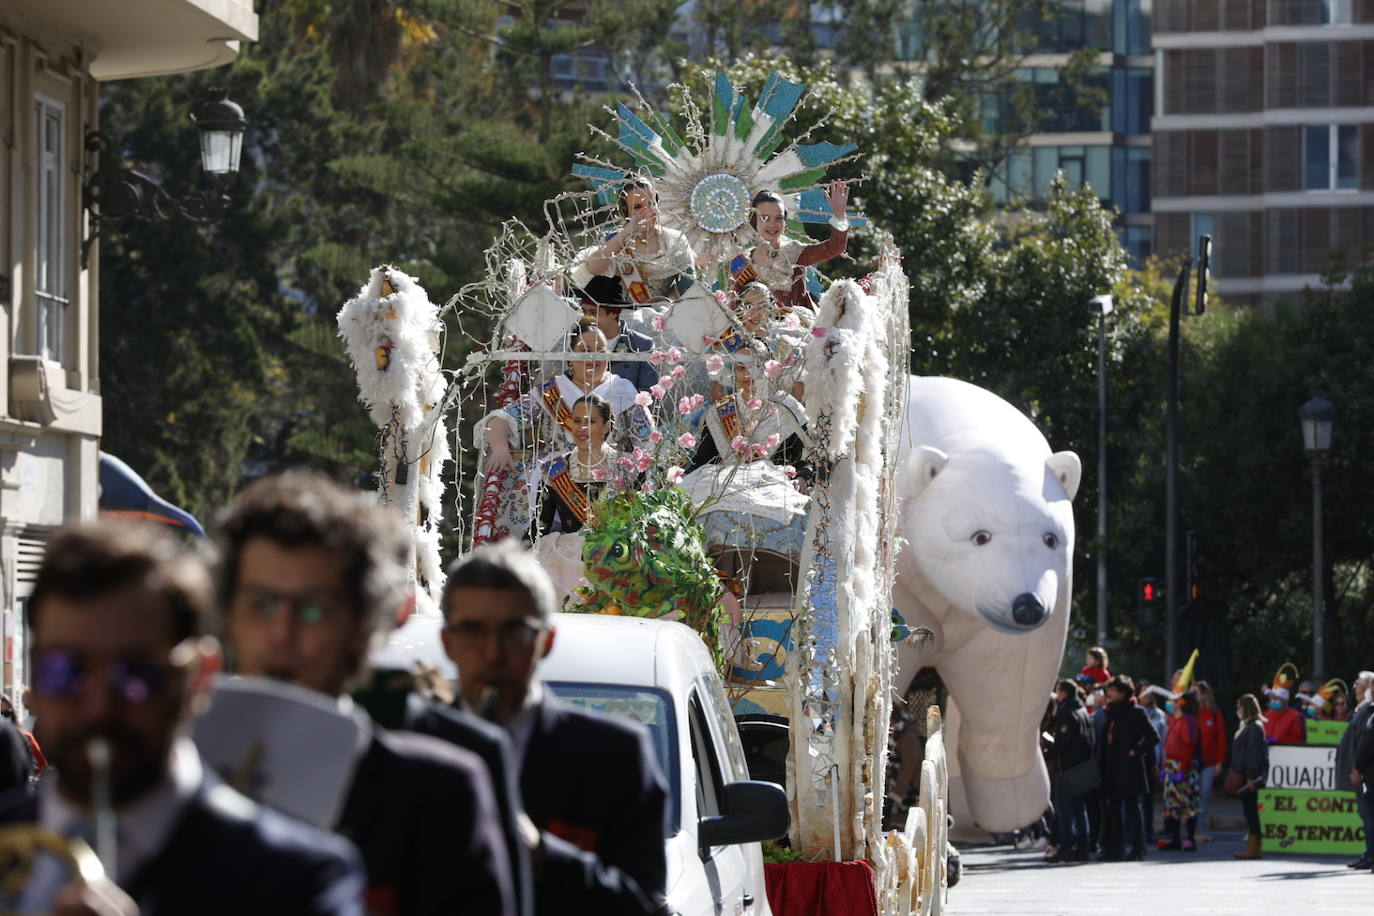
989	566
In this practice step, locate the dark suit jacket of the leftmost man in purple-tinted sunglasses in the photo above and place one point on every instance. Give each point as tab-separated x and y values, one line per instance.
227	858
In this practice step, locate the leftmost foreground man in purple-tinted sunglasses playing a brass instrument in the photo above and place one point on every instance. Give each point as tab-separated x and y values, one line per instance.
120	661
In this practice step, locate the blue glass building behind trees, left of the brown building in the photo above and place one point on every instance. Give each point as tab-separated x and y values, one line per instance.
1108	150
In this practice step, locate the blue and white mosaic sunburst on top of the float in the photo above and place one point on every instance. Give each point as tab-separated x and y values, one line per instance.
707	179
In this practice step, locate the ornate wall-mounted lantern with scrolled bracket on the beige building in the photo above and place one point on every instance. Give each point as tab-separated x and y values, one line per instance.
115	196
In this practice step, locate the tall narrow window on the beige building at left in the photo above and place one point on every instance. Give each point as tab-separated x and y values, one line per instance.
52	275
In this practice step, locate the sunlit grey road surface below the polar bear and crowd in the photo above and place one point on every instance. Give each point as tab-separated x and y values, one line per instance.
1008	882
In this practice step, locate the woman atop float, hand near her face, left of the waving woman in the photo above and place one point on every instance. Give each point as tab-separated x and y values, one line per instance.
651	260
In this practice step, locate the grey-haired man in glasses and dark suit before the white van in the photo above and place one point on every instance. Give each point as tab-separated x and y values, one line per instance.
590	783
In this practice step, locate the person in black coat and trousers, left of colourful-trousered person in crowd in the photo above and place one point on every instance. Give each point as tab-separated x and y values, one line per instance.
1127	753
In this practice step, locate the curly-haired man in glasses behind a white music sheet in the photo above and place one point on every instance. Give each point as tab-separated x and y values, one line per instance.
310	575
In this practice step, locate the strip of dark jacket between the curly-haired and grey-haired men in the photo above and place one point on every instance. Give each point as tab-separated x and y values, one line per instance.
488	742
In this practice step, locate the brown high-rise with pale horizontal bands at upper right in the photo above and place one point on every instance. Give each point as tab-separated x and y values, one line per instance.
1265	138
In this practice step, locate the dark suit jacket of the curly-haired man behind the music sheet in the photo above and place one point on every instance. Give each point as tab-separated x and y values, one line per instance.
424	816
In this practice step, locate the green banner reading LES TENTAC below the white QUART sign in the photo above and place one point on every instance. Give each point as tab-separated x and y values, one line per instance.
1307	822
